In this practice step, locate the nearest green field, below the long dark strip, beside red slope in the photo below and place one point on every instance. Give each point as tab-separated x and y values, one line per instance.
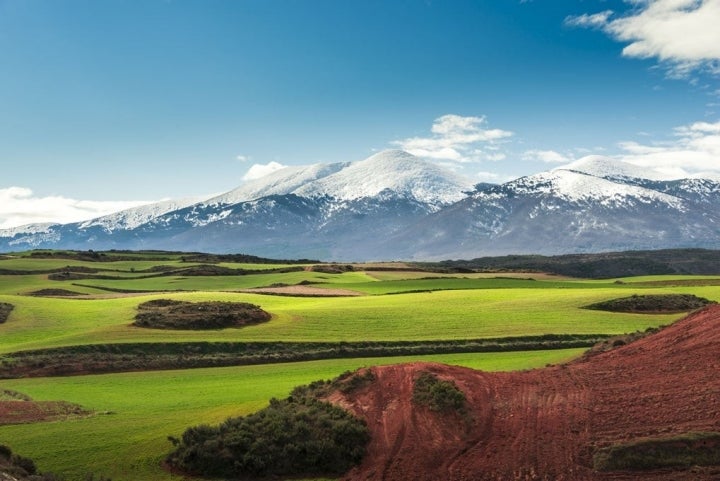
130	443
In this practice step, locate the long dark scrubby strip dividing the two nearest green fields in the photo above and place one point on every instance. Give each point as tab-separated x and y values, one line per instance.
124	357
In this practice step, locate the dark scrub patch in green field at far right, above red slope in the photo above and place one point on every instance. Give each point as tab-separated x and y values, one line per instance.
653	303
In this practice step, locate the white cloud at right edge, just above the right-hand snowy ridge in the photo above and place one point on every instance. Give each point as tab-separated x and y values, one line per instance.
695	151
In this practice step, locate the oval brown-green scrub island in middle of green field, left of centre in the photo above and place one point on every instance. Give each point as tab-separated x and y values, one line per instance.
171	314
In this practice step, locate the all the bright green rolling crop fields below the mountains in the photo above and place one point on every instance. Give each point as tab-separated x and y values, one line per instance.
95	301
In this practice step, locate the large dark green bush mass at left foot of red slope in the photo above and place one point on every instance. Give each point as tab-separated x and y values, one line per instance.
298	436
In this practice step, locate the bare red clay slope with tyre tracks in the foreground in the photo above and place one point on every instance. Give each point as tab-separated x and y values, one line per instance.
545	424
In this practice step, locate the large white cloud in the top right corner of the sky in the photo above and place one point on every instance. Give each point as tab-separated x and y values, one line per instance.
685	34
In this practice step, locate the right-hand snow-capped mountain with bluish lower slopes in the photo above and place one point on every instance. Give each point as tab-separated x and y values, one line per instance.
568	211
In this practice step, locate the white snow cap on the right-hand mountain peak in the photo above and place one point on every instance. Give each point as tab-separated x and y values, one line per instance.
574	186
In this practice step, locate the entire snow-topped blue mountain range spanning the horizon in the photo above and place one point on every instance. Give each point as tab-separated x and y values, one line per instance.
393	205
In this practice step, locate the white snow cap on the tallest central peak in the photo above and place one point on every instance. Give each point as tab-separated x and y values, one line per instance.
394	171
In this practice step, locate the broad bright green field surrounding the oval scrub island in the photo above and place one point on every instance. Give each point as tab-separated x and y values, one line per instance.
455	314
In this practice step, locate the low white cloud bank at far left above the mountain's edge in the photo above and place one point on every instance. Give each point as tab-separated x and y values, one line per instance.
19	206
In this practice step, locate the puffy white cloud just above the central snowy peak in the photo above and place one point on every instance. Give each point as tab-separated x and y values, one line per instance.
454	138
